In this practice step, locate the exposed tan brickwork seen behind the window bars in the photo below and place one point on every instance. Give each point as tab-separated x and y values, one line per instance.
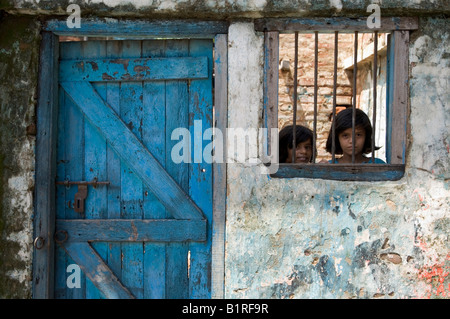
325	82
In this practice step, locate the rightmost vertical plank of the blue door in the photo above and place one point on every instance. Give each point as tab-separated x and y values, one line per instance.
200	171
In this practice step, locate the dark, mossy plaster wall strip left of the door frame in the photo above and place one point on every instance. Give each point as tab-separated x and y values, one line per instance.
19	54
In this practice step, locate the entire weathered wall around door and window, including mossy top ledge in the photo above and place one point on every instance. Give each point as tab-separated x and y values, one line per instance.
285	238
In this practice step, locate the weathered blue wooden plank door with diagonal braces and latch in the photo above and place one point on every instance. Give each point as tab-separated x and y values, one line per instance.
144	229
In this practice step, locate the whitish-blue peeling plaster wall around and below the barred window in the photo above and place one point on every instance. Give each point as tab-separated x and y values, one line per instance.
300	238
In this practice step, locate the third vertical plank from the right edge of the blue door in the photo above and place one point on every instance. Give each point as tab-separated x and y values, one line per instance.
153	137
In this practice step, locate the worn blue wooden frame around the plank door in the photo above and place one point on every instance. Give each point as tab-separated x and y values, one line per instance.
47	114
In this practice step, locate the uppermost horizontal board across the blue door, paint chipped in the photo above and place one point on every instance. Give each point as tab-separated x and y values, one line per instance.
136	69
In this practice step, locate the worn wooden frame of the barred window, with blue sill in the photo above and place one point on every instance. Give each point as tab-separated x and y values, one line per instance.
397	102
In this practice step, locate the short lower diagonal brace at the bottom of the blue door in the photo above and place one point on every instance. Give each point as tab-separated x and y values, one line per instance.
97	271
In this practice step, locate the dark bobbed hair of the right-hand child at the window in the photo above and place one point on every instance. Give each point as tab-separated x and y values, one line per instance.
343	122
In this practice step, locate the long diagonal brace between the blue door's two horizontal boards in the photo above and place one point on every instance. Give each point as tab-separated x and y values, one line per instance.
131	150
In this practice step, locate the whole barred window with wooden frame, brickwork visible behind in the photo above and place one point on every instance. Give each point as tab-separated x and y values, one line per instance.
345	38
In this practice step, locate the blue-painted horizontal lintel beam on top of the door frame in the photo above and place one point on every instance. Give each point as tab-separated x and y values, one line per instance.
140	29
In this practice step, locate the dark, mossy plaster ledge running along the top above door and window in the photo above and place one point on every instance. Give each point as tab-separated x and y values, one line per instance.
218	9
